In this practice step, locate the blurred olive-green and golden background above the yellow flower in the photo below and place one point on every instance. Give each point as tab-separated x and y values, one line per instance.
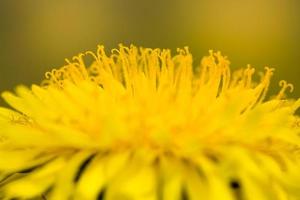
36	36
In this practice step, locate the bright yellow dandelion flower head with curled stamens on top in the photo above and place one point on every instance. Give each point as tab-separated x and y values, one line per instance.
141	124
